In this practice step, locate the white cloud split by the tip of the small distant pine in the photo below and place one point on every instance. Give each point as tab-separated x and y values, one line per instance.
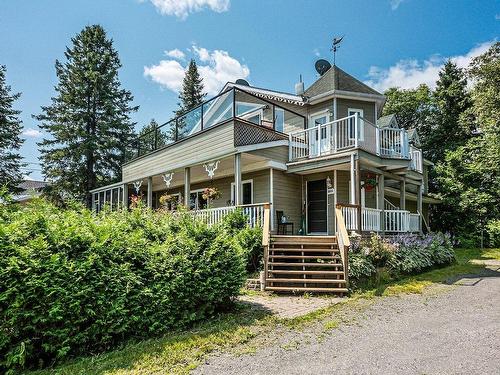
217	68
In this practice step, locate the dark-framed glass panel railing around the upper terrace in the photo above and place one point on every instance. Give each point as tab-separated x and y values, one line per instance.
231	104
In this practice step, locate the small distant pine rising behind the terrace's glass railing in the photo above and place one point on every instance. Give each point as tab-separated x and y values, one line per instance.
191	96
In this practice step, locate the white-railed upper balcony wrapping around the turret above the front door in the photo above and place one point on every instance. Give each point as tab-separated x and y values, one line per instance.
352	132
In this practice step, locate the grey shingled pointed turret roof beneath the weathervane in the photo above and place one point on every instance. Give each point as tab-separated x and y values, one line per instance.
336	79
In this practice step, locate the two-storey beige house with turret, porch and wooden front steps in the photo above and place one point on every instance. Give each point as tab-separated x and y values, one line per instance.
311	154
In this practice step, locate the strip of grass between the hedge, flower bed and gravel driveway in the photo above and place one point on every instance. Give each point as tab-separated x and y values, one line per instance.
180	352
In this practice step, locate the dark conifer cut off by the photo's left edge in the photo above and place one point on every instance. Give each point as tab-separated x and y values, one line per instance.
10	139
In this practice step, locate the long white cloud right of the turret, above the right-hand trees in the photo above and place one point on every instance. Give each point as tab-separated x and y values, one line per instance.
408	74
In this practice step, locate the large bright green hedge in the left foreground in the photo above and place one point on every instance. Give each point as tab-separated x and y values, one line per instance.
75	283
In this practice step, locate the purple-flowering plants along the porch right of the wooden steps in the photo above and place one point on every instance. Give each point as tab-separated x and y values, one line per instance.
402	255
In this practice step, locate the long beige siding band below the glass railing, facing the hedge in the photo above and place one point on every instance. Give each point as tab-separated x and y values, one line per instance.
212	144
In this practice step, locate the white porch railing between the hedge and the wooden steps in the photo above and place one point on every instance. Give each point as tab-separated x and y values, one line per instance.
211	216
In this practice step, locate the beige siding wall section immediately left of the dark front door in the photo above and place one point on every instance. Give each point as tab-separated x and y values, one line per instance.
287	197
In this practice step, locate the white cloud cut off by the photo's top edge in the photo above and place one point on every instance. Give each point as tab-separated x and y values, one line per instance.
182	8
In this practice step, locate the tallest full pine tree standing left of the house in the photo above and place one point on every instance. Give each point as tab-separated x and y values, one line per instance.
89	118
